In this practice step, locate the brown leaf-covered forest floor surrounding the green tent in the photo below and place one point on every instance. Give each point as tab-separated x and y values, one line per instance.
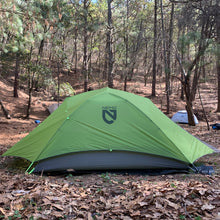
107	195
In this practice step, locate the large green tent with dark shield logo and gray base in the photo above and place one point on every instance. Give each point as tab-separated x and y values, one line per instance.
108	129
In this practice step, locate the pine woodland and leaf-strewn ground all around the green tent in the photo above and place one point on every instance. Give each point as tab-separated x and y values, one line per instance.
165	50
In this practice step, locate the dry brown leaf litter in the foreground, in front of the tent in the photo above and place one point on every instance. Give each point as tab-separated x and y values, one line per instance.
109	196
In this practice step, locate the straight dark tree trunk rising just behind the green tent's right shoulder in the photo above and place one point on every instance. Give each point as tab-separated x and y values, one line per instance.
153	93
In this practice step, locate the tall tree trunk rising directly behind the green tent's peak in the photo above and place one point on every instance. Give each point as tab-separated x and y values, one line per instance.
109	42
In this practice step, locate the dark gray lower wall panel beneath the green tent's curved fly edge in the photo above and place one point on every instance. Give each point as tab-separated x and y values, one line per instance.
107	160
